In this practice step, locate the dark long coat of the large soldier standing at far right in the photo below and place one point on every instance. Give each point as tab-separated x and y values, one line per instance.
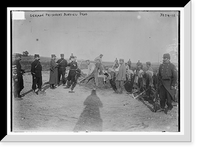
167	76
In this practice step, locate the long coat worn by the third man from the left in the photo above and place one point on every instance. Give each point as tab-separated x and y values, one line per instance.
53	79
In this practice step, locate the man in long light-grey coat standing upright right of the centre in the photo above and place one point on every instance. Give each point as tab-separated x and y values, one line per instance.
120	76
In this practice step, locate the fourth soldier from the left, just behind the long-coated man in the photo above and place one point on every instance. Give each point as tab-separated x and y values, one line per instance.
62	64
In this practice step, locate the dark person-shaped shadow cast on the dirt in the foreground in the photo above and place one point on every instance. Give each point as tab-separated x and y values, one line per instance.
90	119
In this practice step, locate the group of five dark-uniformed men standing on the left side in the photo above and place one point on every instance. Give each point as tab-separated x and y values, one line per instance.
57	73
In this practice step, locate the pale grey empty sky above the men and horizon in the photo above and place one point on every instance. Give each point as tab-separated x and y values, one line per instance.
143	36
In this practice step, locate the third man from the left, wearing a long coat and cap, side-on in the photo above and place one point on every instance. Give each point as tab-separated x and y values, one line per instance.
53	79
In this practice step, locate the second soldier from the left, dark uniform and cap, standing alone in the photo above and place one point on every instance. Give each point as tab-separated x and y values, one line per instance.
36	71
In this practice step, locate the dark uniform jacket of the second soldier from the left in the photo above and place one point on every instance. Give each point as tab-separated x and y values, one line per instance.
36	68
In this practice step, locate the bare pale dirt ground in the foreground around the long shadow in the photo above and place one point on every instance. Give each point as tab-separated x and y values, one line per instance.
57	110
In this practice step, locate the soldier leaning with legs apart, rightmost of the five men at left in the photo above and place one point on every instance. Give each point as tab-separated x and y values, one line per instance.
73	75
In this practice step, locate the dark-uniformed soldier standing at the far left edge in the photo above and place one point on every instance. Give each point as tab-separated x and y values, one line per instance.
17	76
